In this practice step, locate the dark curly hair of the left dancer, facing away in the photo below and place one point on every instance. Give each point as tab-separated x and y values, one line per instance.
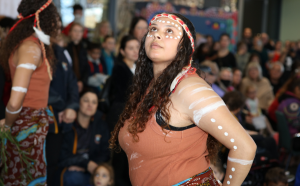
48	22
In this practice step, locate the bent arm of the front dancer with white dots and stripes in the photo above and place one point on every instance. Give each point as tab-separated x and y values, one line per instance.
208	111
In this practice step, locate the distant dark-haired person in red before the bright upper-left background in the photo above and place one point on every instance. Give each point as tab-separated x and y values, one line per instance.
78	18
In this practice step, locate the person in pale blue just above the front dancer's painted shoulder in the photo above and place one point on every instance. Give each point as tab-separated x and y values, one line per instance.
211	72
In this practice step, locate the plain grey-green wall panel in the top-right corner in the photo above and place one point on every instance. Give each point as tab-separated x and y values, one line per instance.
290	24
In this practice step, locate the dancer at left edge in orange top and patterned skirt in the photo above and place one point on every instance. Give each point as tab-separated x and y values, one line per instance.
29	62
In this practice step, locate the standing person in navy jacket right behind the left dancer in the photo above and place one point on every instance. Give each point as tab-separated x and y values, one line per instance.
63	102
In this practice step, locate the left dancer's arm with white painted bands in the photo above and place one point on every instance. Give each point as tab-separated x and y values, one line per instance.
28	59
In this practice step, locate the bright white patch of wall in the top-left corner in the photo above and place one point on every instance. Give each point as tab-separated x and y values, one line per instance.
9	8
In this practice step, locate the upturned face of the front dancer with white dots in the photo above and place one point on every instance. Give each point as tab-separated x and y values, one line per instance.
163	39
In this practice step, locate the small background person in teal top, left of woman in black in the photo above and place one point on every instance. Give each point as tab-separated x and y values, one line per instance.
107	57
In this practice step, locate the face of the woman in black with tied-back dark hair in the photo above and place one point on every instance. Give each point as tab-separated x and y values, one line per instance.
131	51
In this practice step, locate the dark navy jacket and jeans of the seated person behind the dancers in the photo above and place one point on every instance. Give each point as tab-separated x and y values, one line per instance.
96	150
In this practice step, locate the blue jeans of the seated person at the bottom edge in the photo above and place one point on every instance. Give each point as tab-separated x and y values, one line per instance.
75	178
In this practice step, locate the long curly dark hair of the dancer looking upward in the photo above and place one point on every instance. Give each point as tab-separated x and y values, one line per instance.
158	95
